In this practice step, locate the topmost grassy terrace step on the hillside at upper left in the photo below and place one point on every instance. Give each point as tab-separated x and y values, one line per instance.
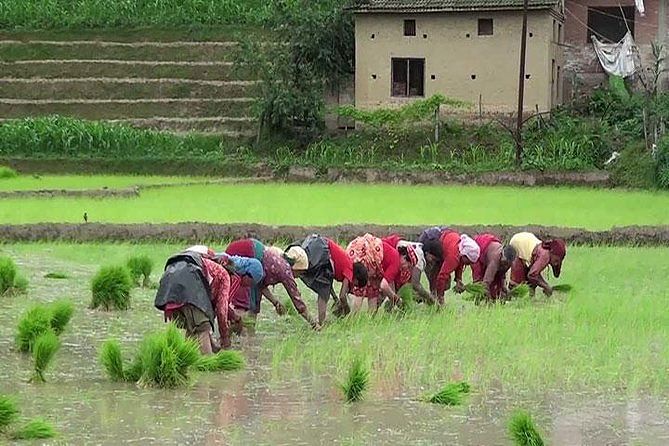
15	50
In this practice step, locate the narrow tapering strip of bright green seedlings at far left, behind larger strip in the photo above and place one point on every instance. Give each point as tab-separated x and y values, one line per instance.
78	182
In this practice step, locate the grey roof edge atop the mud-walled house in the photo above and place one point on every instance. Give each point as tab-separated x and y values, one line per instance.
445	5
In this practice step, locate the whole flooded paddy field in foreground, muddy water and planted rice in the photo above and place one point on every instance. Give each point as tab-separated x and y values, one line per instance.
591	365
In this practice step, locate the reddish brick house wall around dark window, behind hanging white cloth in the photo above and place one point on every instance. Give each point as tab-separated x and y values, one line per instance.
582	69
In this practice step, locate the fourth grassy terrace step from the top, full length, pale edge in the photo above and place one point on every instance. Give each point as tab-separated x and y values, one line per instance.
126	108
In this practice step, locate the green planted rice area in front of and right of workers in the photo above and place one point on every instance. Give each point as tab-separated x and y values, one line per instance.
608	333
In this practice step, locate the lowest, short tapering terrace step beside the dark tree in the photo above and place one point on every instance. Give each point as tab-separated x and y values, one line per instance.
240	126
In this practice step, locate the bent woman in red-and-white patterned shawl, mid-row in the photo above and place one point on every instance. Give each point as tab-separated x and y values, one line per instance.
382	263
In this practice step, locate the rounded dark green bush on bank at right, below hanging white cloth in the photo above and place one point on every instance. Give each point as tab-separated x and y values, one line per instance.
635	168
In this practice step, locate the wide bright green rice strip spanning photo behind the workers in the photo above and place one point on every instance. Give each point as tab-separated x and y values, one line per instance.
347	203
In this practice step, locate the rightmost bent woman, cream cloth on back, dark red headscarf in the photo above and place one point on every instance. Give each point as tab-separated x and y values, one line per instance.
534	256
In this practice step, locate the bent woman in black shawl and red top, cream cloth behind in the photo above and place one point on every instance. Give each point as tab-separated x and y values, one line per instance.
318	262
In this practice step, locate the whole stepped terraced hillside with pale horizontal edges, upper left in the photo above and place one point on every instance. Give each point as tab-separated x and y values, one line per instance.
156	80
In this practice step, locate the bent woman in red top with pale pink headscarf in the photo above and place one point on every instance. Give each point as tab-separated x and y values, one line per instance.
452	252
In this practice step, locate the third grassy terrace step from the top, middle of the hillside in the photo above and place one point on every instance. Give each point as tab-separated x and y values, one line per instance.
121	88
